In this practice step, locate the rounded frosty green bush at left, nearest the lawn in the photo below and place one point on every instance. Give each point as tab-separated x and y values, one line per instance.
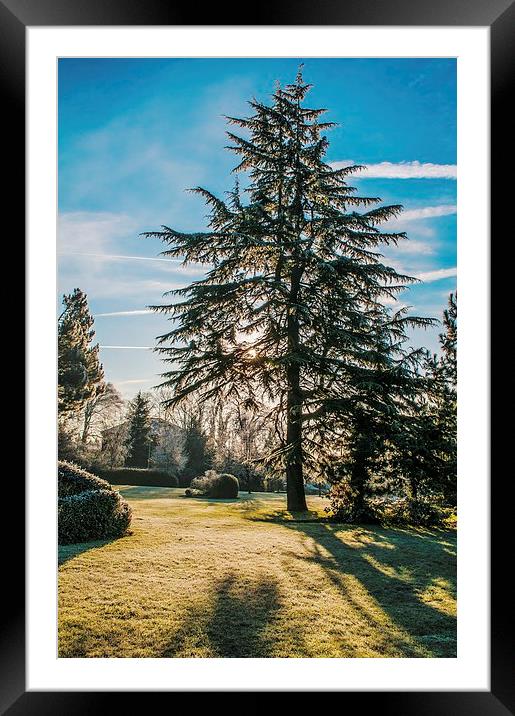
92	515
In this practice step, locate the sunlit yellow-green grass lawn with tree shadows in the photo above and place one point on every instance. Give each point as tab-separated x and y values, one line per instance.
238	578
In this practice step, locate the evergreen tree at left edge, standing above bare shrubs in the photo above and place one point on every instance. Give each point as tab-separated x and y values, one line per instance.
80	373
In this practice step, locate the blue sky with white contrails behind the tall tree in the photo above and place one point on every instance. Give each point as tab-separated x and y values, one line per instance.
134	134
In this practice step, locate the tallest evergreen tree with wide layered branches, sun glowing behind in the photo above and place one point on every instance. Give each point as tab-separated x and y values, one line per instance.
290	309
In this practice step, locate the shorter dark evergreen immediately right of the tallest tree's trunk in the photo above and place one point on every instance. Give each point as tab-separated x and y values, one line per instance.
373	410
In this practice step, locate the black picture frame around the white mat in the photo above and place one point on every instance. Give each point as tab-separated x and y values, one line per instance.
499	16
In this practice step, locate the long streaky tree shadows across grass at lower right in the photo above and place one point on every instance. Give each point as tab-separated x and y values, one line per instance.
396	567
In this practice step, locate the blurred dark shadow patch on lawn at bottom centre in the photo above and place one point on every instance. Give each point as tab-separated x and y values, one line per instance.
234	622
